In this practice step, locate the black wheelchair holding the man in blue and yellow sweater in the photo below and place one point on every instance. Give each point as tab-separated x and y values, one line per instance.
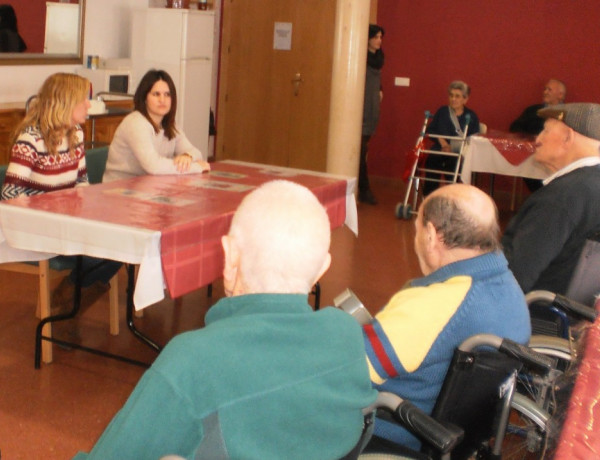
475	410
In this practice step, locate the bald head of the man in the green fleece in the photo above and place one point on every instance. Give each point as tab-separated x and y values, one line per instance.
278	241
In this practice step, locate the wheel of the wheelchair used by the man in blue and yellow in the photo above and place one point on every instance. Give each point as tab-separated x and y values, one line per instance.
529	432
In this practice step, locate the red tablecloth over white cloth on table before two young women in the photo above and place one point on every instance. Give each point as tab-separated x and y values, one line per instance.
190	212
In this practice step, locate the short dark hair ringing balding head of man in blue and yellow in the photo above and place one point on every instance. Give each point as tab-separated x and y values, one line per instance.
460	228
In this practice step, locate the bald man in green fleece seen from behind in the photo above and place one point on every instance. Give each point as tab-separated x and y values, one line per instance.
267	378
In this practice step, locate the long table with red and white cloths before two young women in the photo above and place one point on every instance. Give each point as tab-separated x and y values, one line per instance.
171	226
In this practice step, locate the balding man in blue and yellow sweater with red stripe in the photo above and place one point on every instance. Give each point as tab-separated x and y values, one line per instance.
467	289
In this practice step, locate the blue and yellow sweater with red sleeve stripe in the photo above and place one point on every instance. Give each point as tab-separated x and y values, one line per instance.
411	341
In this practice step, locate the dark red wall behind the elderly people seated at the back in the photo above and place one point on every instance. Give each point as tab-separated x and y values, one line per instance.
504	49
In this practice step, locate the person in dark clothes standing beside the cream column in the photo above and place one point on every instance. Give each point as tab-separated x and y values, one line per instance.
373	96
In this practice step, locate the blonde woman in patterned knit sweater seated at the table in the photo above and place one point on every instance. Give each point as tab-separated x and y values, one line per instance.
48	155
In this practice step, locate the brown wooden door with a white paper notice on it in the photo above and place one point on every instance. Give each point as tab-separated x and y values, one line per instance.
263	115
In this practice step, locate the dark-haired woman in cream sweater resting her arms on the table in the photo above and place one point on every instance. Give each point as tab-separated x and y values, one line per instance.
147	141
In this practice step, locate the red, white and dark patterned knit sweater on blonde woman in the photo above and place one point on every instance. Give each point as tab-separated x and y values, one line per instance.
33	171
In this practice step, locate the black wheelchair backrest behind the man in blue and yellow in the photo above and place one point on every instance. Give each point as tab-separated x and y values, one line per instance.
471	398
